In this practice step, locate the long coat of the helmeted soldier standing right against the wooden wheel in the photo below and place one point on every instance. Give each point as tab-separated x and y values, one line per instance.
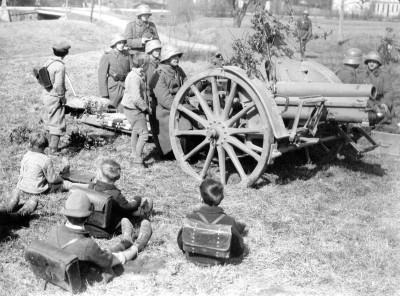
165	82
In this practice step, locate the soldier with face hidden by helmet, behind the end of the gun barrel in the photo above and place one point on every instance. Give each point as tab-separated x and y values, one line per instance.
352	60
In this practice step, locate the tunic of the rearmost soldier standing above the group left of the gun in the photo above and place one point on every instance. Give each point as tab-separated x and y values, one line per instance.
137	29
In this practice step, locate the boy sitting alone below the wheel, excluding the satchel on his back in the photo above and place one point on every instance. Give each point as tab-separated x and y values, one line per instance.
211	195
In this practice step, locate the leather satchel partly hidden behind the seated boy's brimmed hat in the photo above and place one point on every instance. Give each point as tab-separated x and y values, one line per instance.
102	207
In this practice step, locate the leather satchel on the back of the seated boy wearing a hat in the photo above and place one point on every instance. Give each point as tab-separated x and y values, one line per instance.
54	265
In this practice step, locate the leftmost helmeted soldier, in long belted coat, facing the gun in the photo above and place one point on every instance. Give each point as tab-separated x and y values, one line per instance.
115	64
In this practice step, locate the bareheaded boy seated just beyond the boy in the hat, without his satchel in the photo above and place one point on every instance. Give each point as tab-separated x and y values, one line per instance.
108	173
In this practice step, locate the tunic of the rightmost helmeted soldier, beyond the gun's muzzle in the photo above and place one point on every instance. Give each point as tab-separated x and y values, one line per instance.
383	84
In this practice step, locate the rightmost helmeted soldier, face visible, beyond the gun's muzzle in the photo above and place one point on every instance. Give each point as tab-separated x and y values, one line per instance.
376	76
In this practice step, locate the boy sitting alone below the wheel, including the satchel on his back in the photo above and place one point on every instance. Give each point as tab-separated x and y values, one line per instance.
217	250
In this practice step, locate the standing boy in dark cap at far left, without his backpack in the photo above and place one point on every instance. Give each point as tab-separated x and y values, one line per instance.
54	97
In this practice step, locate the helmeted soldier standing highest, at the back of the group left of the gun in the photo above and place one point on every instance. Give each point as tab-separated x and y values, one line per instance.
140	30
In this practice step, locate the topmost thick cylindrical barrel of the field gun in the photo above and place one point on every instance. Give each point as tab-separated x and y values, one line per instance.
303	89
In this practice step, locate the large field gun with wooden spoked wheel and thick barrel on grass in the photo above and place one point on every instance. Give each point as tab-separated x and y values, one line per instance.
243	124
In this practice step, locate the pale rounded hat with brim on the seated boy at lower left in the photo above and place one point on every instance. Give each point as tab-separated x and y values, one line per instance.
77	205
